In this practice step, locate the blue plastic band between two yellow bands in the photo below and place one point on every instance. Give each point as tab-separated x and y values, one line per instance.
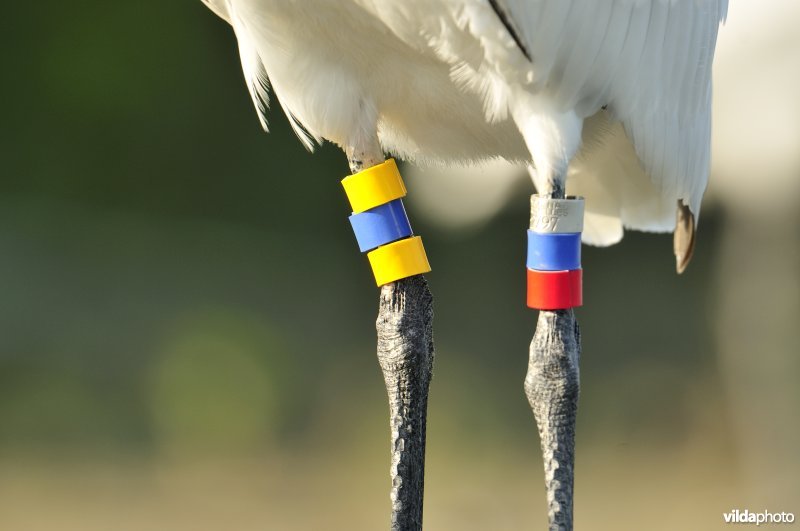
381	225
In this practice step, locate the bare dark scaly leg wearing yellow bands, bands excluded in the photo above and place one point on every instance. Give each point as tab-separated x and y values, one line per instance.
405	354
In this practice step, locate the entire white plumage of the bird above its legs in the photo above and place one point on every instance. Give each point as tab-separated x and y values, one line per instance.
460	81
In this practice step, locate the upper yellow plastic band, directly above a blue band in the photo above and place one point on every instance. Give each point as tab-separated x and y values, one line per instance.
374	186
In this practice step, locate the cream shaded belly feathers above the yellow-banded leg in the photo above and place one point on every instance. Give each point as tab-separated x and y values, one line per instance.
337	71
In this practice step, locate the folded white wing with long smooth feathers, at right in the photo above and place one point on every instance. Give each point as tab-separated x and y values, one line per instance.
649	61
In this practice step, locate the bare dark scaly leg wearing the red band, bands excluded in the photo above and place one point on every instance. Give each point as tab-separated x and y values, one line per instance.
552	387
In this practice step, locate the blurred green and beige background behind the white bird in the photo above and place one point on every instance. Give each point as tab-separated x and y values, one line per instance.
186	325
